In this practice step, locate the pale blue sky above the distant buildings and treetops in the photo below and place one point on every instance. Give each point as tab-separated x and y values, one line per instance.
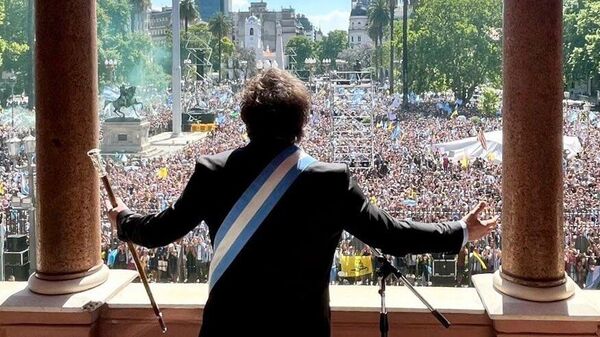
328	14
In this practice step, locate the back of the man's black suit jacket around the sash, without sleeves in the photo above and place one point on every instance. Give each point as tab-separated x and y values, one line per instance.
280	277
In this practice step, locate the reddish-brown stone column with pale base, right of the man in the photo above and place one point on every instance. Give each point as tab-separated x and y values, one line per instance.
532	188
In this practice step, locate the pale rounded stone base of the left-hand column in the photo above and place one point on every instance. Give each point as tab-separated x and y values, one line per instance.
60	287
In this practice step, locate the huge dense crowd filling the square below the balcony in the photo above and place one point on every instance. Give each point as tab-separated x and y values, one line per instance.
409	179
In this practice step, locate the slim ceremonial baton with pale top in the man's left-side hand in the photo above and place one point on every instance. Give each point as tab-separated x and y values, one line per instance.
97	161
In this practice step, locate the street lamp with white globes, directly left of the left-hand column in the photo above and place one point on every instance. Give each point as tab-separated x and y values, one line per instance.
14	150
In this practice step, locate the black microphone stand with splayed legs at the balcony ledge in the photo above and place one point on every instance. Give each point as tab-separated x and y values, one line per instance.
384	271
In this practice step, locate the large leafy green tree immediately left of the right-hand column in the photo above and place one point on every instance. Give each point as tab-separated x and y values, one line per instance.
454	45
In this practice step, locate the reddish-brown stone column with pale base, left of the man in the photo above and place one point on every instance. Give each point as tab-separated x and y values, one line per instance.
68	204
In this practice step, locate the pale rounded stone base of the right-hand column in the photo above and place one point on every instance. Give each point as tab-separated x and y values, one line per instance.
536	294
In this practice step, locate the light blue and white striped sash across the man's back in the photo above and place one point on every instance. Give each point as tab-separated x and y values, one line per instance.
254	206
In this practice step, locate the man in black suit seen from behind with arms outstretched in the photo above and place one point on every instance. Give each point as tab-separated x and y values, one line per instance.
272	287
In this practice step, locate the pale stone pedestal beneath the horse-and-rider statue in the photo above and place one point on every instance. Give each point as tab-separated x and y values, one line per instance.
125	135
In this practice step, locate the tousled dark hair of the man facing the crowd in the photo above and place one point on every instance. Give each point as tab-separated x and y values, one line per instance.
275	105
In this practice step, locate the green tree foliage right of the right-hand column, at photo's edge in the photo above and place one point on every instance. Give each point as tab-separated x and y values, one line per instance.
581	40
